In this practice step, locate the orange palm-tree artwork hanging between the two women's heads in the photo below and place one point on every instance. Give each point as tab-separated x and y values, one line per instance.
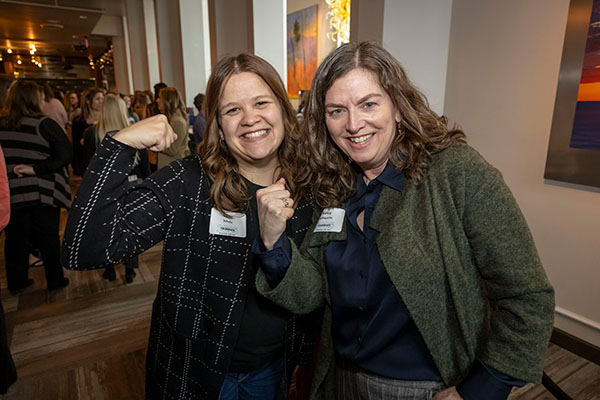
301	50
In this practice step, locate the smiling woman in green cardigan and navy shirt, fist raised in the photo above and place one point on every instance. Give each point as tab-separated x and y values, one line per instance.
430	279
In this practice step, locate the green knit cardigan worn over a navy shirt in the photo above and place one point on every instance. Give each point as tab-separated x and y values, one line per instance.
460	254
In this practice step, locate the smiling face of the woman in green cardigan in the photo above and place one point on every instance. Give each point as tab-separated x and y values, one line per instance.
361	120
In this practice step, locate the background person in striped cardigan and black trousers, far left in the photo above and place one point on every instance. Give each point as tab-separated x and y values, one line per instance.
37	153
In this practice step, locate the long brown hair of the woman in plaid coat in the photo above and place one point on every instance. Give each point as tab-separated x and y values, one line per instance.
229	192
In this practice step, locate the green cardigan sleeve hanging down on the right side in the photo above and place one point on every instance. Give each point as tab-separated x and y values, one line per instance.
522	299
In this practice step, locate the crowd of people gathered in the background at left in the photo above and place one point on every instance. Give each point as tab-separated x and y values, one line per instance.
68	128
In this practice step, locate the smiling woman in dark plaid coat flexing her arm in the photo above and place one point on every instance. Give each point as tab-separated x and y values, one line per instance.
212	336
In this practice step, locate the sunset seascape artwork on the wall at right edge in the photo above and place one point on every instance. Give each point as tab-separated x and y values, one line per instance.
574	148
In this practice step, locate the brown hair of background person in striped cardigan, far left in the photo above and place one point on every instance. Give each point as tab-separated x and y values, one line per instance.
24	99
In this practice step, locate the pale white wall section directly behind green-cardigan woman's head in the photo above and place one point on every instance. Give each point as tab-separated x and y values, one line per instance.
417	33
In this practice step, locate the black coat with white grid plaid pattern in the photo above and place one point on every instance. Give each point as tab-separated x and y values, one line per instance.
204	278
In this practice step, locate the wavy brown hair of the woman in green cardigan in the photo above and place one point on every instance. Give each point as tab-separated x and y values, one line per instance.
421	132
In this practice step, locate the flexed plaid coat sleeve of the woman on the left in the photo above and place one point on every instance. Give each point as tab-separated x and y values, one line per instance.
109	224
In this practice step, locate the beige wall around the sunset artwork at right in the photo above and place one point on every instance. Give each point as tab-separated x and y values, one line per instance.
503	70
